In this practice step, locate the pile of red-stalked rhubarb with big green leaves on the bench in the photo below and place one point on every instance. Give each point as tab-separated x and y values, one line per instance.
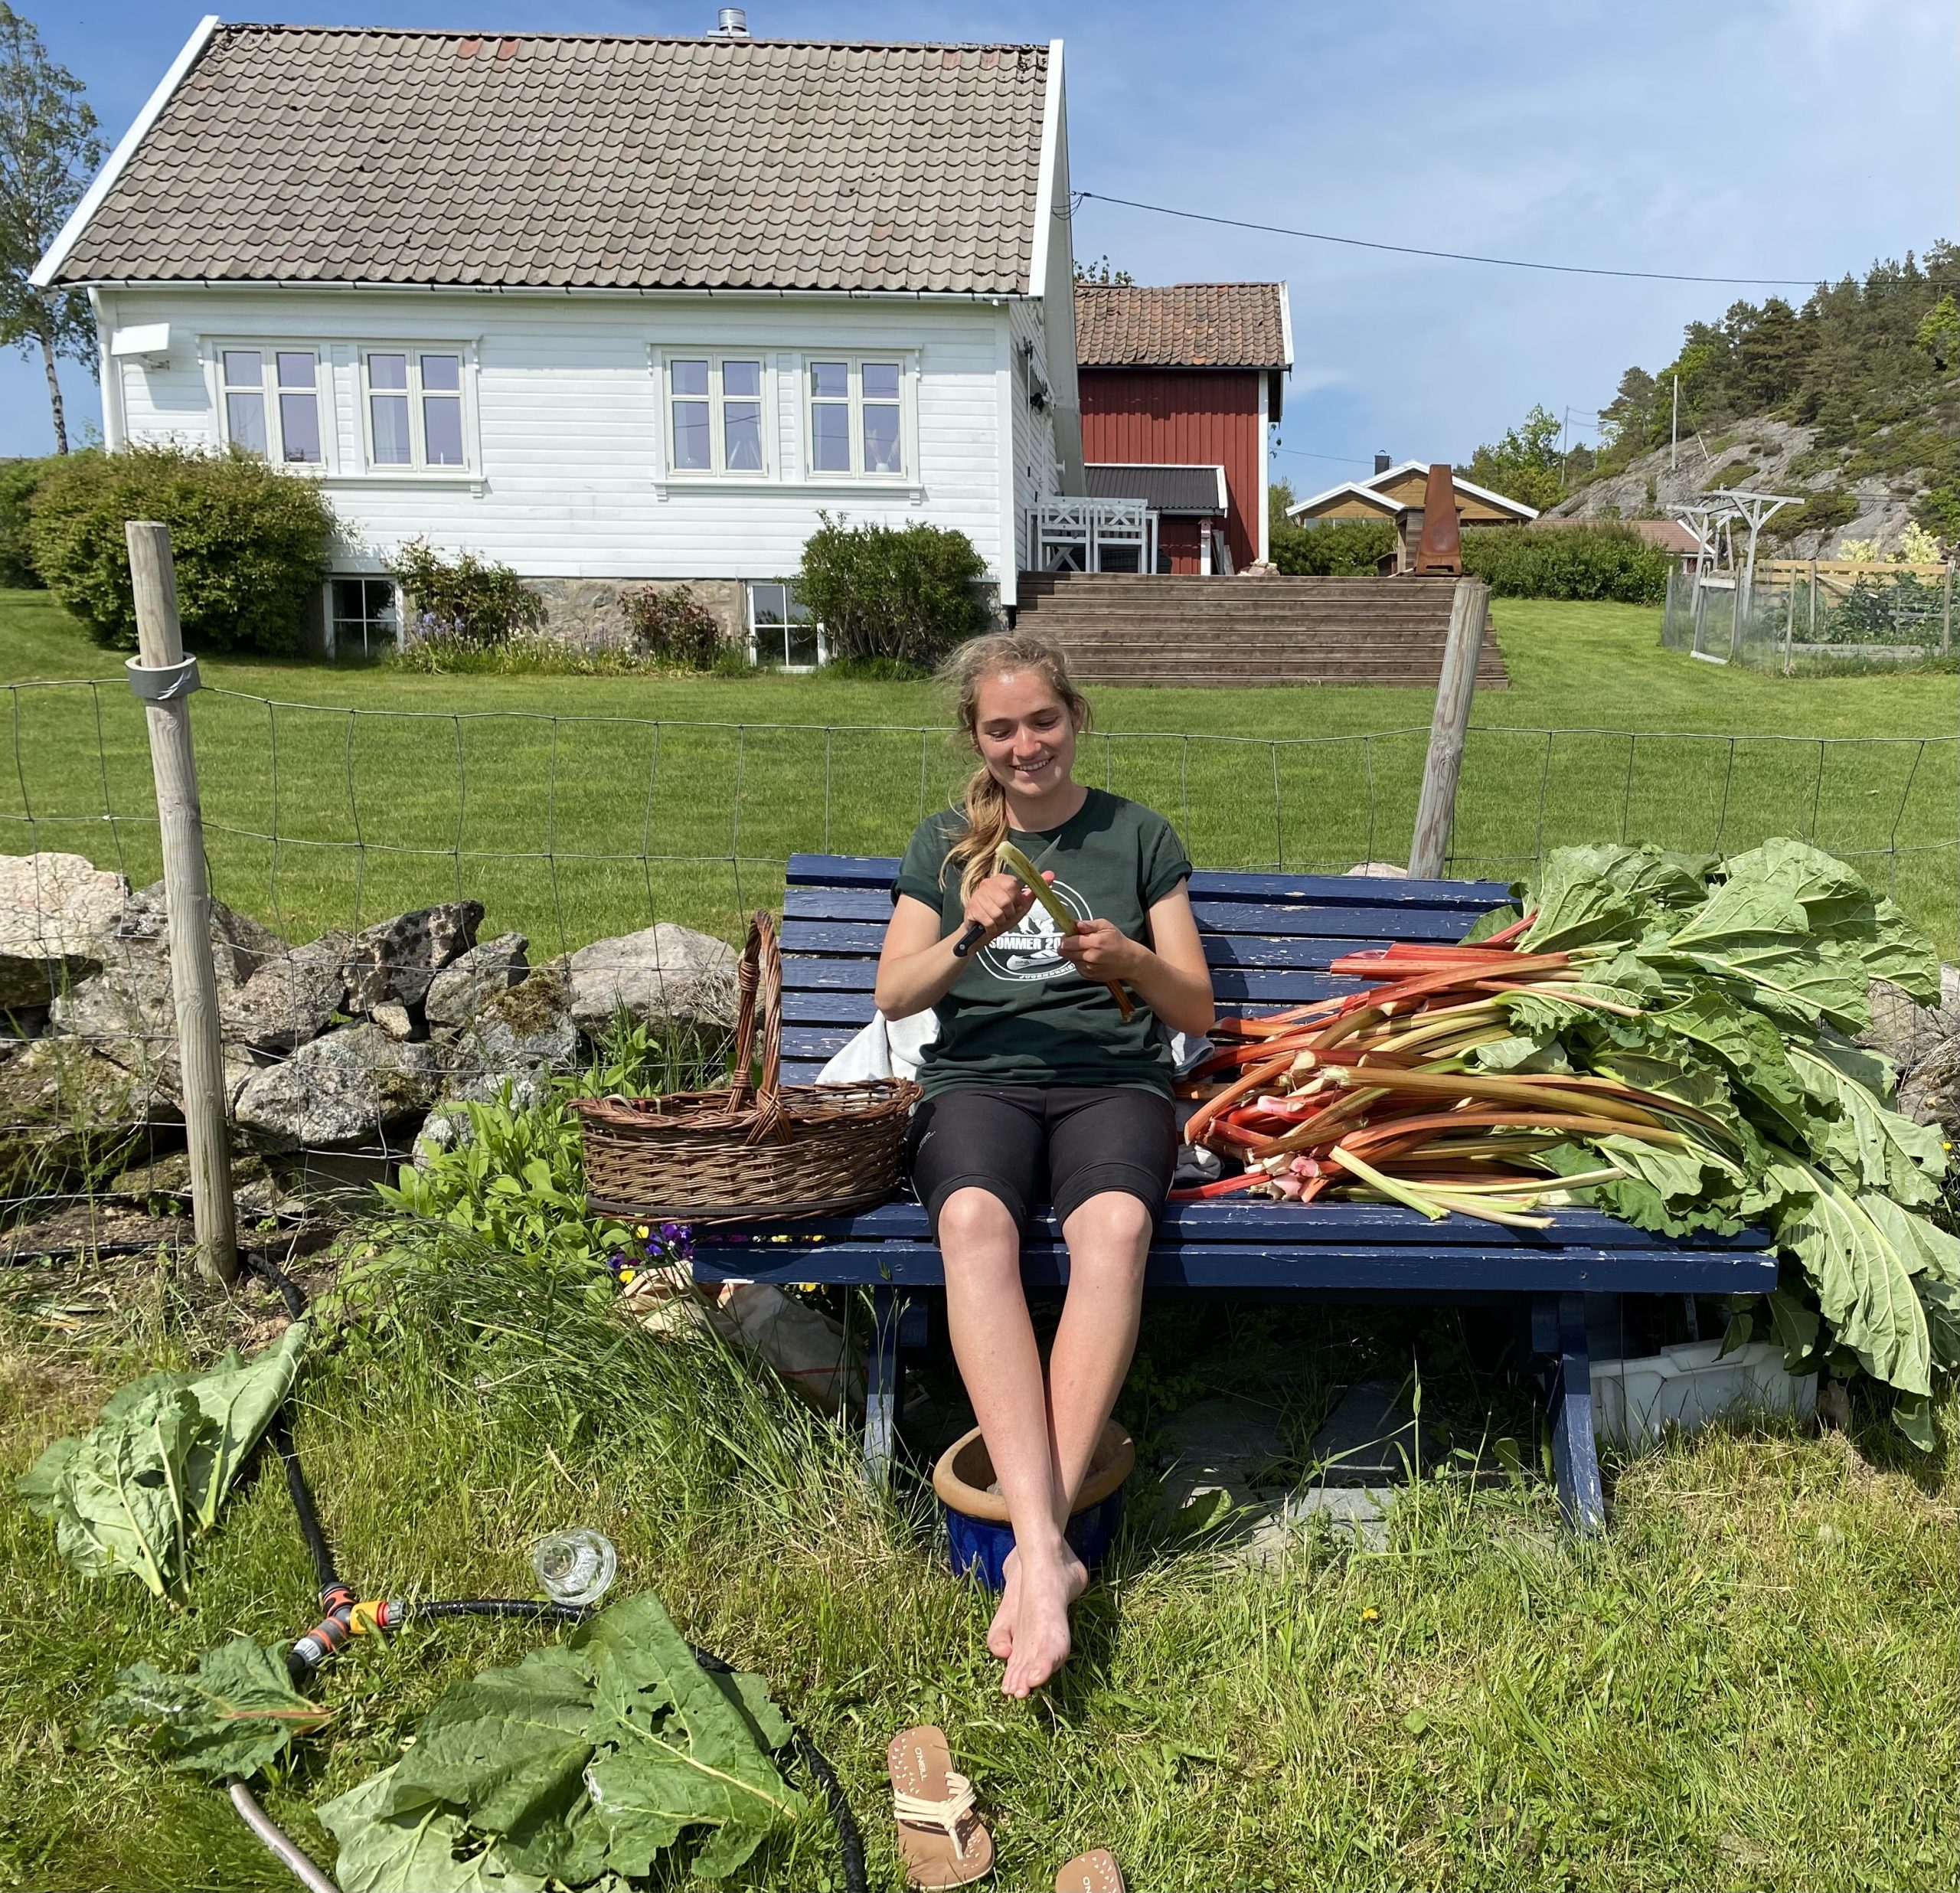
1663	1038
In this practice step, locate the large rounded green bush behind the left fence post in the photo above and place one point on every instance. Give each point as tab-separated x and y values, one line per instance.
250	544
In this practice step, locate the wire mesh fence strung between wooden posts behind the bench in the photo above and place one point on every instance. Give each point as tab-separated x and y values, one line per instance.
326	826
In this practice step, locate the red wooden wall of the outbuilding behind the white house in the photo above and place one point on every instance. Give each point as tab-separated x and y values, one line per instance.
1183	418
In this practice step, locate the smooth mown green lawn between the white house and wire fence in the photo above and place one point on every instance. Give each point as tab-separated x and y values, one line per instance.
585	806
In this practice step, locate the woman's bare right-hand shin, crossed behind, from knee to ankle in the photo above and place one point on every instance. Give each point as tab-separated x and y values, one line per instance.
1108	1245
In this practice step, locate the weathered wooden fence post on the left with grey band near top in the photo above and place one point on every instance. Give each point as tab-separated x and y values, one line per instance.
164	679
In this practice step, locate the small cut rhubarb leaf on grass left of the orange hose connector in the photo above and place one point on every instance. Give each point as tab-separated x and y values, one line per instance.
228	1720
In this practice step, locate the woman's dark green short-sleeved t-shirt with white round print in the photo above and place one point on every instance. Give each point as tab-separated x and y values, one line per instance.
1020	1014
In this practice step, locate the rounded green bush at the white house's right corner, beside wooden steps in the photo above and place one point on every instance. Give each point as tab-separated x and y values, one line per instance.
899	593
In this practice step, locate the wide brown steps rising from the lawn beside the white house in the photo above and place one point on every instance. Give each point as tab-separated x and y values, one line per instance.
1124	628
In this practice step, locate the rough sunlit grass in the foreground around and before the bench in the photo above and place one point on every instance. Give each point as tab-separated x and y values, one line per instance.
1751	1682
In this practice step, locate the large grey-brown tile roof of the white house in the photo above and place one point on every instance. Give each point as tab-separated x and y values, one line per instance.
538	160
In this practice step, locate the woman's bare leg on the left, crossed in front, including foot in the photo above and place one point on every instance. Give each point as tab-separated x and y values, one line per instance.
1001	1363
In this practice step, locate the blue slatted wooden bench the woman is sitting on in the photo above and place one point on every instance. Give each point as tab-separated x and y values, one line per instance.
1271	940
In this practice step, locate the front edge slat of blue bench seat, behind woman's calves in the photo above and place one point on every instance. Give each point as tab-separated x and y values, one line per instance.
1249	1267
